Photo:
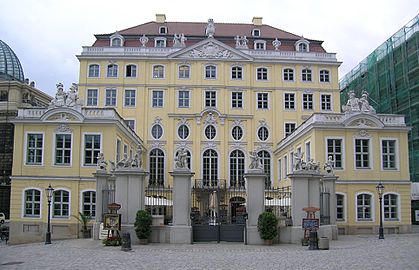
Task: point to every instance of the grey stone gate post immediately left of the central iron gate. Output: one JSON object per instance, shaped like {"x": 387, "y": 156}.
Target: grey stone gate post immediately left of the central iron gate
{"x": 181, "y": 231}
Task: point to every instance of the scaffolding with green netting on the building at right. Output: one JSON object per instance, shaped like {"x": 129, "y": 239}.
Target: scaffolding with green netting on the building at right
{"x": 390, "y": 74}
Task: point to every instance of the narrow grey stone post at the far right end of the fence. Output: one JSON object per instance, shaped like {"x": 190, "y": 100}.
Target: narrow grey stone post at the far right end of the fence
{"x": 331, "y": 230}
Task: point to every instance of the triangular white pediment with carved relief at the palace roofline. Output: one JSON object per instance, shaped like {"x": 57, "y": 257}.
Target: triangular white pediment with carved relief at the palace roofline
{"x": 210, "y": 48}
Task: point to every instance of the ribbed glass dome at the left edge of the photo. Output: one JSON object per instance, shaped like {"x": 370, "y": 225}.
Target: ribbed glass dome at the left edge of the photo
{"x": 10, "y": 67}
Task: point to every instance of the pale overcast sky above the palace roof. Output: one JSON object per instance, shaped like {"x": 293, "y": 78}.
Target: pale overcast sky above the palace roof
{"x": 47, "y": 34}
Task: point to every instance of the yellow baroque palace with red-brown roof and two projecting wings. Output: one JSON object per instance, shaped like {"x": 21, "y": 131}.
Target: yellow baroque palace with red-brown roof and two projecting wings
{"x": 218, "y": 93}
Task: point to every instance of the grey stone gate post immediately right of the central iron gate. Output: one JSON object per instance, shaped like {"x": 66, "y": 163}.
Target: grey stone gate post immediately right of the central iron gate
{"x": 255, "y": 188}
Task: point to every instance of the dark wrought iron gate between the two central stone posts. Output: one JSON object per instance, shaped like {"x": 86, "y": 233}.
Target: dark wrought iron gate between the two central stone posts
{"x": 217, "y": 211}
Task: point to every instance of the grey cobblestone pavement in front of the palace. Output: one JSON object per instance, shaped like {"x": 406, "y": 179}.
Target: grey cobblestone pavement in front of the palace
{"x": 349, "y": 252}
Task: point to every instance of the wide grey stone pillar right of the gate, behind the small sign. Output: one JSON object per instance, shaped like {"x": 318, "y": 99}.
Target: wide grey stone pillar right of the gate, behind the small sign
{"x": 305, "y": 188}
